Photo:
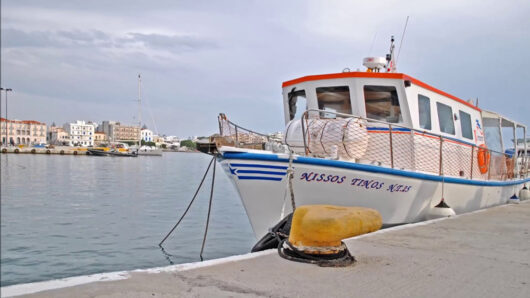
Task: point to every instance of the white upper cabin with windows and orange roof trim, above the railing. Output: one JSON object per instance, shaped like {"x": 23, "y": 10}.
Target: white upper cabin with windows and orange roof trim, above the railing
{"x": 387, "y": 97}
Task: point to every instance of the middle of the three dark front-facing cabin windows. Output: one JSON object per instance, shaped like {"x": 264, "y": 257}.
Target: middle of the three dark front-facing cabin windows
{"x": 335, "y": 100}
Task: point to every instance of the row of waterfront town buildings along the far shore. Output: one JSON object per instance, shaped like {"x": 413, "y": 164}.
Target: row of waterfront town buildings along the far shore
{"x": 29, "y": 133}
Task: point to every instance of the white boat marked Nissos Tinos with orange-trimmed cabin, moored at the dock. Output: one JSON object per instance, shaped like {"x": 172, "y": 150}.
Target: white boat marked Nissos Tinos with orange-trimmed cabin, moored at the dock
{"x": 375, "y": 138}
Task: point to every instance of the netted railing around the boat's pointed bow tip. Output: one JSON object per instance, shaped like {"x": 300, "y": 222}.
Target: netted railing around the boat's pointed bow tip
{"x": 237, "y": 136}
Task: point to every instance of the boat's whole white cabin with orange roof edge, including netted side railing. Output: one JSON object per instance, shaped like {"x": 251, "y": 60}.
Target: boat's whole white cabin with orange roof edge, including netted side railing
{"x": 394, "y": 120}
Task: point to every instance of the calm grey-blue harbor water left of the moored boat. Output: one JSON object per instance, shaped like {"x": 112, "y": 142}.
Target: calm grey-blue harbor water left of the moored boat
{"x": 65, "y": 216}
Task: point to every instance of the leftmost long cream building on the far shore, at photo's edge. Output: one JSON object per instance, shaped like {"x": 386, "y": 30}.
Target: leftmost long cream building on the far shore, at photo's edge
{"x": 22, "y": 132}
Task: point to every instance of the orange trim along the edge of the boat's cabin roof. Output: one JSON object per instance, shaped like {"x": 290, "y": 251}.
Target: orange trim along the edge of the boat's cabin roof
{"x": 376, "y": 75}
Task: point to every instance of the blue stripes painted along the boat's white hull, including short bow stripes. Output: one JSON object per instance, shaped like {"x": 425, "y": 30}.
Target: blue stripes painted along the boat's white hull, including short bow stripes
{"x": 364, "y": 168}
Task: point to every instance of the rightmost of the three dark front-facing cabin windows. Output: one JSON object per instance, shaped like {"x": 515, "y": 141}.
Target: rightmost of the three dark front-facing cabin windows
{"x": 382, "y": 103}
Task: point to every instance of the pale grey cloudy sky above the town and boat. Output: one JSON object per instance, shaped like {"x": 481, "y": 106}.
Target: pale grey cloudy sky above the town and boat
{"x": 79, "y": 60}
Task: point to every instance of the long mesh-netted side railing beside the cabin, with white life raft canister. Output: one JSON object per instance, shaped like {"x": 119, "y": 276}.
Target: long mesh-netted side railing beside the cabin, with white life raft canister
{"x": 330, "y": 134}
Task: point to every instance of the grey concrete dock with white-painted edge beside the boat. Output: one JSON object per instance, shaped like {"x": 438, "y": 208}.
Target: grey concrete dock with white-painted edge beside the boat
{"x": 480, "y": 254}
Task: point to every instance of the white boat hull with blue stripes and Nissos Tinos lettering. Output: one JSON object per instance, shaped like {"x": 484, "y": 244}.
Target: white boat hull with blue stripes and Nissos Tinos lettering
{"x": 400, "y": 196}
